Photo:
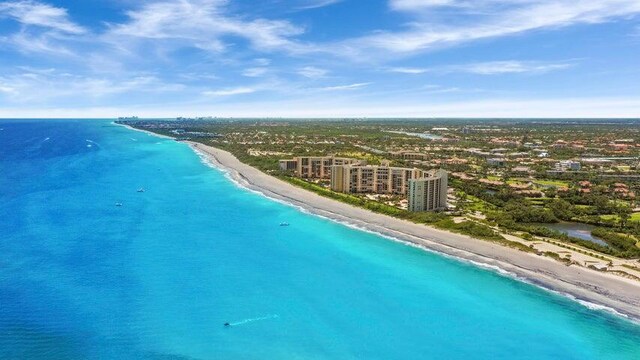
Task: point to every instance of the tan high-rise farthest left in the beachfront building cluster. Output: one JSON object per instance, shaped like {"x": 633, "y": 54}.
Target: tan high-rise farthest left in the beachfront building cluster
{"x": 315, "y": 167}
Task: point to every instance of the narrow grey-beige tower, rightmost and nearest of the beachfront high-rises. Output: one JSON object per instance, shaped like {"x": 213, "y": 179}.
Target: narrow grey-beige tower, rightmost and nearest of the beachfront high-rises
{"x": 428, "y": 193}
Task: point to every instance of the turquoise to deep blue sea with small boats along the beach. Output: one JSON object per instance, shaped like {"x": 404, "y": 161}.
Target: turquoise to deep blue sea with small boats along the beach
{"x": 157, "y": 277}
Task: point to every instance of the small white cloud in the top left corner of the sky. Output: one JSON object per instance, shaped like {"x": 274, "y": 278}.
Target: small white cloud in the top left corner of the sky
{"x": 33, "y": 13}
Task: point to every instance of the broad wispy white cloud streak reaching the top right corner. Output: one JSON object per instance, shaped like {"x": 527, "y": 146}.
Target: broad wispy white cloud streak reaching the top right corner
{"x": 485, "y": 19}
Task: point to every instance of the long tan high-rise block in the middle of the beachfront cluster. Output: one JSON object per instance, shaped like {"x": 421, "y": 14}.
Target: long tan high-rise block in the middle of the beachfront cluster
{"x": 375, "y": 179}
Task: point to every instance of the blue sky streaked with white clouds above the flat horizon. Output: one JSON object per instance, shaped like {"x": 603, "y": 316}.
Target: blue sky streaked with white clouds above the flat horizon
{"x": 320, "y": 58}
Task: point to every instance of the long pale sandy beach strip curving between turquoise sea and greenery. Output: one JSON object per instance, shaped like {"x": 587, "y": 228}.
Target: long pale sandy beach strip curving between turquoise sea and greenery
{"x": 599, "y": 289}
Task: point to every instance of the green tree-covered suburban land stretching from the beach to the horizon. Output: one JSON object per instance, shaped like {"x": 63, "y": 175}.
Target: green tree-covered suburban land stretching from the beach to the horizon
{"x": 525, "y": 188}
